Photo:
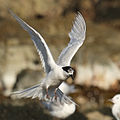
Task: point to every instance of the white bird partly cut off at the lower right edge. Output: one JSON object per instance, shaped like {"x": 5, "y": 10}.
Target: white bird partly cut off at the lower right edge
{"x": 116, "y": 106}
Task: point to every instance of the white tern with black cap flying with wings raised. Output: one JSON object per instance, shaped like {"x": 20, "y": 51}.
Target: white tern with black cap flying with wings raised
{"x": 56, "y": 72}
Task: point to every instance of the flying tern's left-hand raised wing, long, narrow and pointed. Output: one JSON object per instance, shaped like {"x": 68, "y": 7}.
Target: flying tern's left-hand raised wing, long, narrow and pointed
{"x": 40, "y": 44}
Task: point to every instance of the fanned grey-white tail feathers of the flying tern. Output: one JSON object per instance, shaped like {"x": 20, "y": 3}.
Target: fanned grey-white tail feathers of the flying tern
{"x": 38, "y": 91}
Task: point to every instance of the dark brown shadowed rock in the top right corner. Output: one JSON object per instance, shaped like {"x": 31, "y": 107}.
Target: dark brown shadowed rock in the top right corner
{"x": 98, "y": 10}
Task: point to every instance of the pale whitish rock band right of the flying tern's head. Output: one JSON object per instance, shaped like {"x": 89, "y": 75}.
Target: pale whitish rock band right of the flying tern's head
{"x": 102, "y": 76}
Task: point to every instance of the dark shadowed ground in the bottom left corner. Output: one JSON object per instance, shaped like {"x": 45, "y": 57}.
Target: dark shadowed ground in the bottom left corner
{"x": 26, "y": 112}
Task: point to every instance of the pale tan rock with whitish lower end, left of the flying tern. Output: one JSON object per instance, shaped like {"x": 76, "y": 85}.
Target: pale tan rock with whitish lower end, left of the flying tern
{"x": 16, "y": 58}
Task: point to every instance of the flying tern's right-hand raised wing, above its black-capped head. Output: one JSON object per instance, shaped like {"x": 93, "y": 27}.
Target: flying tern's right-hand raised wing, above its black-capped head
{"x": 77, "y": 37}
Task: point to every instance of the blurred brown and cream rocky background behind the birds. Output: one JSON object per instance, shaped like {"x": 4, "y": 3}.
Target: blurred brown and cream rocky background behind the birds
{"x": 97, "y": 63}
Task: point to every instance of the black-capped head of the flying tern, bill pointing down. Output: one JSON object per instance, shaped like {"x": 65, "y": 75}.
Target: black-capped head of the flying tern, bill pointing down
{"x": 69, "y": 71}
